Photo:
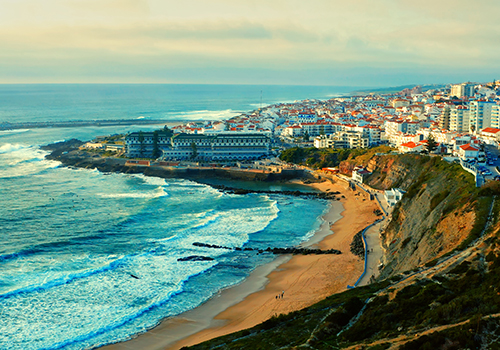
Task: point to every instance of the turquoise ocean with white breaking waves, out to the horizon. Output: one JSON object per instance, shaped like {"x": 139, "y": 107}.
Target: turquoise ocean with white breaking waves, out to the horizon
{"x": 90, "y": 258}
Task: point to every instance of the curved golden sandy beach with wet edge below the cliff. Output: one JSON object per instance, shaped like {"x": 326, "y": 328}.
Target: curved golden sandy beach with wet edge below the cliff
{"x": 304, "y": 280}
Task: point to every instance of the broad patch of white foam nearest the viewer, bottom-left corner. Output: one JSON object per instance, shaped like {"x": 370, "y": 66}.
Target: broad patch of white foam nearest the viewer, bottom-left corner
{"x": 99, "y": 304}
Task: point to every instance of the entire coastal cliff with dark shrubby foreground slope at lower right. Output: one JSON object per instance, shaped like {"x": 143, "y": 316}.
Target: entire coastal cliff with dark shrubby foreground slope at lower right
{"x": 439, "y": 287}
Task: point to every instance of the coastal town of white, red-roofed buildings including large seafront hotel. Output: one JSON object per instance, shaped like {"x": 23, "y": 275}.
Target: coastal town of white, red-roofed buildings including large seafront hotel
{"x": 459, "y": 121}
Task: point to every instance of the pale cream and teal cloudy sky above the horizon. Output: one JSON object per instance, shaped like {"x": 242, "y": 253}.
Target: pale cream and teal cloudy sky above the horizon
{"x": 287, "y": 42}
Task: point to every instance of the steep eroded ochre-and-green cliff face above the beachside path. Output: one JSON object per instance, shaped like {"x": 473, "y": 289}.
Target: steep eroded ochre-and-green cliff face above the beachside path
{"x": 434, "y": 216}
